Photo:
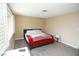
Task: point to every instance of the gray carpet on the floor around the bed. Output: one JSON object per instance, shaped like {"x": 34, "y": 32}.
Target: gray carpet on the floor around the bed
{"x": 55, "y": 49}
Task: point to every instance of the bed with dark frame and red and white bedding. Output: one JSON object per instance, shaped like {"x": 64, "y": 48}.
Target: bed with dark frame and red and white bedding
{"x": 36, "y": 37}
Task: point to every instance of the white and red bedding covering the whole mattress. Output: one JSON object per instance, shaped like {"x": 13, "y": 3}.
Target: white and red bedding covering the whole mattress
{"x": 38, "y": 37}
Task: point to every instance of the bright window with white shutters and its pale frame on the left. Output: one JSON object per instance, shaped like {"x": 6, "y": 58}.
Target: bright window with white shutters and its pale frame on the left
{"x": 6, "y": 27}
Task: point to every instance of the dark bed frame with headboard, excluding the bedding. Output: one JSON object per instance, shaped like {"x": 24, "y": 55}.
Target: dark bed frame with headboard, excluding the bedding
{"x": 29, "y": 46}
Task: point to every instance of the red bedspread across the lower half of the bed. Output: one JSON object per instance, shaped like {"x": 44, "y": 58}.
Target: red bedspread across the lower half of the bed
{"x": 40, "y": 39}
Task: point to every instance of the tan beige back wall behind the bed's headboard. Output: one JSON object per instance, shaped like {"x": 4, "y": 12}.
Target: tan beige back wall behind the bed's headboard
{"x": 24, "y": 22}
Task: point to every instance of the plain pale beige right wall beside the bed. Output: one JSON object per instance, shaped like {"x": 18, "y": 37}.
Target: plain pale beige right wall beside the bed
{"x": 67, "y": 26}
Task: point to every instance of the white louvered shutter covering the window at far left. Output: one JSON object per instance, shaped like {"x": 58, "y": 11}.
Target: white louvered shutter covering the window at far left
{"x": 4, "y": 42}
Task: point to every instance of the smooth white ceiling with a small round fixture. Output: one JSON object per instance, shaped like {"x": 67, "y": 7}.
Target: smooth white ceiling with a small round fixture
{"x": 35, "y": 9}
